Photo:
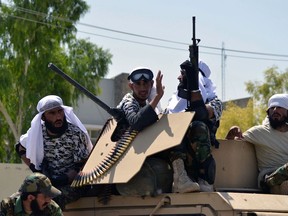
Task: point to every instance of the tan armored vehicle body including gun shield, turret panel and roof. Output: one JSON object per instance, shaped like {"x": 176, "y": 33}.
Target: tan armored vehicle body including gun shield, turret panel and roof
{"x": 236, "y": 191}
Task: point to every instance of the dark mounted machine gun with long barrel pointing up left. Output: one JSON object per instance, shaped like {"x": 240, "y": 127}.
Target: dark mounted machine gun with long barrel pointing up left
{"x": 117, "y": 114}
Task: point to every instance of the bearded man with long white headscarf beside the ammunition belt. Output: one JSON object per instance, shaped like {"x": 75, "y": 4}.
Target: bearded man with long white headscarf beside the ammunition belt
{"x": 57, "y": 144}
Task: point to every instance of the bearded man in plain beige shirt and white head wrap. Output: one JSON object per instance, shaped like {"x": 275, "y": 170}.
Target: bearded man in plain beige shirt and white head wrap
{"x": 271, "y": 144}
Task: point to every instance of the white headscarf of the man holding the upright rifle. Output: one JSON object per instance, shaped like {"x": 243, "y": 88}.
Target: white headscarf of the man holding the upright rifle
{"x": 206, "y": 87}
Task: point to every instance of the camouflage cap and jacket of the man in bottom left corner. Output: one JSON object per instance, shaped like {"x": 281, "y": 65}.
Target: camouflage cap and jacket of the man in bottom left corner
{"x": 34, "y": 183}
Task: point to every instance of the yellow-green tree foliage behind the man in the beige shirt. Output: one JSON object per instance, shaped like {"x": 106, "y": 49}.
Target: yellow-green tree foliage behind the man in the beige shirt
{"x": 255, "y": 112}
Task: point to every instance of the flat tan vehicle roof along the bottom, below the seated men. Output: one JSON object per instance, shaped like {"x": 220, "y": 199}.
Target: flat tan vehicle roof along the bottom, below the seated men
{"x": 215, "y": 203}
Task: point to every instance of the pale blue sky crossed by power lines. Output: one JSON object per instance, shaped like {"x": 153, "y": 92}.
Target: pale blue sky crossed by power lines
{"x": 257, "y": 26}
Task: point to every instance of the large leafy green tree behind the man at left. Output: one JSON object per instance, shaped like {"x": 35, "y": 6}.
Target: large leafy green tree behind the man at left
{"x": 33, "y": 34}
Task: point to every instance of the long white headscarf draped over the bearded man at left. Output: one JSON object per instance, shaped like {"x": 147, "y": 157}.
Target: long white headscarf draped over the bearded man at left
{"x": 33, "y": 139}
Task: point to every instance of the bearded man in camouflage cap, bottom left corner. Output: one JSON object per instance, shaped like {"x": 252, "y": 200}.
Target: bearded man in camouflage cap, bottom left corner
{"x": 34, "y": 198}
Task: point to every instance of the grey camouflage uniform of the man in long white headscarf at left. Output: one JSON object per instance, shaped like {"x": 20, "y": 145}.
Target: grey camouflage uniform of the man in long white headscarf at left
{"x": 64, "y": 153}
